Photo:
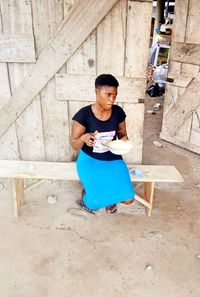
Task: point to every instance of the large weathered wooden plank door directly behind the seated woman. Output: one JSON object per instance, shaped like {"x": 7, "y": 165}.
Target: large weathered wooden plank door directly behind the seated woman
{"x": 50, "y": 53}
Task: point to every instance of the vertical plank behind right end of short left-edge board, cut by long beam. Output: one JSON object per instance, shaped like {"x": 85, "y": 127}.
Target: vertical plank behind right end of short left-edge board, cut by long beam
{"x": 17, "y": 19}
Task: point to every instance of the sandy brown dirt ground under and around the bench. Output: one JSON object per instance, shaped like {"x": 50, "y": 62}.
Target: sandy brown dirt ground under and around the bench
{"x": 58, "y": 250}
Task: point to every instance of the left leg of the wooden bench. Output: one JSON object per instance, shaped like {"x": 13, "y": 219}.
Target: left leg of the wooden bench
{"x": 18, "y": 195}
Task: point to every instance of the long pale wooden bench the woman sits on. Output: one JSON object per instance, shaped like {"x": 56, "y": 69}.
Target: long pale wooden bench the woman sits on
{"x": 20, "y": 170}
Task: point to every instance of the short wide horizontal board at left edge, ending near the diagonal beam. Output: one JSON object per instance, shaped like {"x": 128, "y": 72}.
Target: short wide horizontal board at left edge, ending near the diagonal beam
{"x": 17, "y": 48}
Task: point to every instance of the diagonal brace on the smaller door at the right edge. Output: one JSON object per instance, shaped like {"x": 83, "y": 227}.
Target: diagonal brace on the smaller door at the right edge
{"x": 182, "y": 109}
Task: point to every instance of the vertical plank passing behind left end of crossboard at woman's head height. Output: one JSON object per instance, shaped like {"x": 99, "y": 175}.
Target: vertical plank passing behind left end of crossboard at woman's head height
{"x": 48, "y": 15}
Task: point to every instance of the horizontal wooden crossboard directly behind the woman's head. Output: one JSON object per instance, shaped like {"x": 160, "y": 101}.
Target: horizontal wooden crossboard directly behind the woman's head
{"x": 130, "y": 89}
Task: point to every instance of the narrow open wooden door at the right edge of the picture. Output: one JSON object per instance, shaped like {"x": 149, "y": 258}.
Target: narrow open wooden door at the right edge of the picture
{"x": 181, "y": 119}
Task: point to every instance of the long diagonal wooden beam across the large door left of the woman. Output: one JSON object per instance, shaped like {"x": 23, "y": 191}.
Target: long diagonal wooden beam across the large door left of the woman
{"x": 76, "y": 27}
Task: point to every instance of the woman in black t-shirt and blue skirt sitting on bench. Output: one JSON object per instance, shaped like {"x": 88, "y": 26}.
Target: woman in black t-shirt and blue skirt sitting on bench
{"x": 104, "y": 175}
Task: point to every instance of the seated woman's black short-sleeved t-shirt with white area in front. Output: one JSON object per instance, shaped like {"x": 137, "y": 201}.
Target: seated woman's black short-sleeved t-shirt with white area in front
{"x": 107, "y": 131}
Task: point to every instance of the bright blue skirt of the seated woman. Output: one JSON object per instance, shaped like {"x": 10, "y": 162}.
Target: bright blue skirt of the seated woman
{"x": 105, "y": 182}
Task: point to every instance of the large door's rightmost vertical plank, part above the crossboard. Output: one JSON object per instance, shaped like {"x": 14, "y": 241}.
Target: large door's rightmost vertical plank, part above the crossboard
{"x": 138, "y": 36}
